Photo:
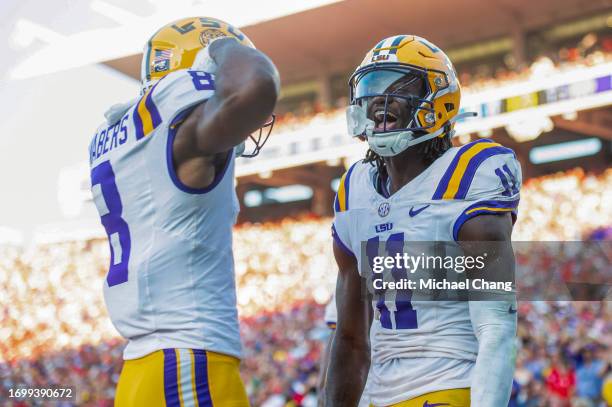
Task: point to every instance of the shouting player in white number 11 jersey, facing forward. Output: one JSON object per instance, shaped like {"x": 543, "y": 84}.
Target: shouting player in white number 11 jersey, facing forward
{"x": 413, "y": 186}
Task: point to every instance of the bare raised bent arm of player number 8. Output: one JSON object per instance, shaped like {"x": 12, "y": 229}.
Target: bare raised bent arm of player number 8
{"x": 246, "y": 90}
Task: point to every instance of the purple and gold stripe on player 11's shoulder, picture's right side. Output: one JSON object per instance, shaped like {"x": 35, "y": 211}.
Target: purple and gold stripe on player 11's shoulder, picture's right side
{"x": 459, "y": 175}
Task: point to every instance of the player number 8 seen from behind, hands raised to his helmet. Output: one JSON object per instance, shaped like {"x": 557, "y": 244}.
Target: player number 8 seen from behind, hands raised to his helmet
{"x": 162, "y": 175}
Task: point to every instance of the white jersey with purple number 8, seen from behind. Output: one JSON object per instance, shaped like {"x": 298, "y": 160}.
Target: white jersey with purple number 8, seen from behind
{"x": 171, "y": 278}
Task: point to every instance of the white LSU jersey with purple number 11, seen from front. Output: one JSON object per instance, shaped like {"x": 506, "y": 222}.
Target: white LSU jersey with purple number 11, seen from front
{"x": 423, "y": 346}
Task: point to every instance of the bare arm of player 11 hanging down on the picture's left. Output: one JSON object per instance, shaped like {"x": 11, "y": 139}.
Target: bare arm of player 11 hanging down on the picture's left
{"x": 350, "y": 352}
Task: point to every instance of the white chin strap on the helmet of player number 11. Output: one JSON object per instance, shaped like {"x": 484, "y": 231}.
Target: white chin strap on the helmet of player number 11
{"x": 397, "y": 142}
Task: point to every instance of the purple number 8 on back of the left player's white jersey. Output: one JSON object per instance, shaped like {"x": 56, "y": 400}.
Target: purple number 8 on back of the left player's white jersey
{"x": 117, "y": 230}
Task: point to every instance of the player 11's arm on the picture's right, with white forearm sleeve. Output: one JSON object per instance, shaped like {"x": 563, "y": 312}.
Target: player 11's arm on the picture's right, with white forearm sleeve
{"x": 494, "y": 322}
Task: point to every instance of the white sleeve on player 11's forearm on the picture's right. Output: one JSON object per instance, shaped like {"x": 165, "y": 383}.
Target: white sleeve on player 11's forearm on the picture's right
{"x": 495, "y": 329}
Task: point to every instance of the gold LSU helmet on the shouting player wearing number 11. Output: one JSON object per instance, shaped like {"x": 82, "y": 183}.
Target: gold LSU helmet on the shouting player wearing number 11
{"x": 403, "y": 93}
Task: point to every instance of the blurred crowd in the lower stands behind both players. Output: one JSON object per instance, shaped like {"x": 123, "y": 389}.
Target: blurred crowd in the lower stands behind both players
{"x": 55, "y": 329}
